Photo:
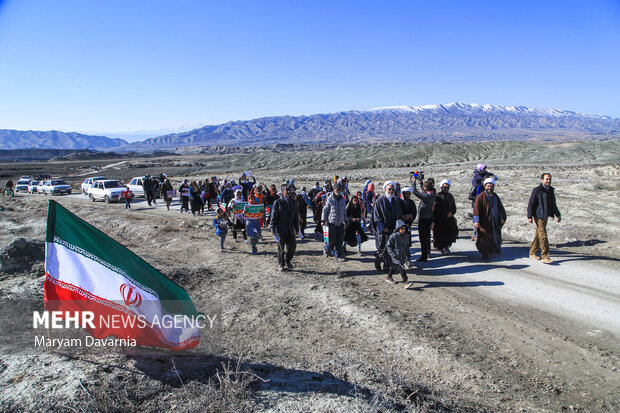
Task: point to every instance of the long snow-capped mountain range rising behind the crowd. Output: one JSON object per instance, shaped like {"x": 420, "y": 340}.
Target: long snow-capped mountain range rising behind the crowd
{"x": 456, "y": 122}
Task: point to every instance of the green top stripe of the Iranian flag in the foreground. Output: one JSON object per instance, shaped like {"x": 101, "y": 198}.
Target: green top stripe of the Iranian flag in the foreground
{"x": 69, "y": 228}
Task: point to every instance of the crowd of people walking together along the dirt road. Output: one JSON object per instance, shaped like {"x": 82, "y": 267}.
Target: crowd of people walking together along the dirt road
{"x": 342, "y": 218}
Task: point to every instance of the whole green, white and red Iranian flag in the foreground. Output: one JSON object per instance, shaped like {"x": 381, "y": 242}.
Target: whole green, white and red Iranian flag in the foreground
{"x": 85, "y": 270}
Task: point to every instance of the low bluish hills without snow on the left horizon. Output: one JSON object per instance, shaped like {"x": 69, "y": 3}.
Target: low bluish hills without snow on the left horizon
{"x": 14, "y": 139}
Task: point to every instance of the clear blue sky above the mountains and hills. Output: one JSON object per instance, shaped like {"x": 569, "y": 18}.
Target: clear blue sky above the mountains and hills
{"x": 115, "y": 66}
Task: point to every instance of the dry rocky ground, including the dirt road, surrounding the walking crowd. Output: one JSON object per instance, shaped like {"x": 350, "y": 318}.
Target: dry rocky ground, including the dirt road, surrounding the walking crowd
{"x": 507, "y": 335}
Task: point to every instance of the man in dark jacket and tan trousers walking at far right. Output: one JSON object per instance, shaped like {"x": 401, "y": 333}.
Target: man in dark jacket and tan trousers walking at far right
{"x": 542, "y": 206}
